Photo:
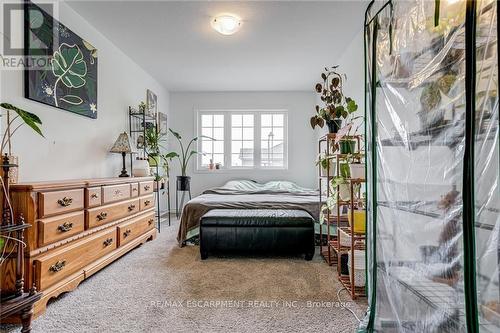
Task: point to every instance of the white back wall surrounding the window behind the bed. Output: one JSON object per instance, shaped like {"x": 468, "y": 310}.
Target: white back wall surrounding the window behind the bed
{"x": 302, "y": 140}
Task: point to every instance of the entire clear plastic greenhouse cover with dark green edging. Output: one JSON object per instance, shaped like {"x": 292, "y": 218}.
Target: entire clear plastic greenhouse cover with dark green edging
{"x": 416, "y": 143}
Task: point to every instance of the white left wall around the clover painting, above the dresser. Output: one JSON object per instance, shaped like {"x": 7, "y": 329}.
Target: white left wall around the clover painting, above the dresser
{"x": 76, "y": 146}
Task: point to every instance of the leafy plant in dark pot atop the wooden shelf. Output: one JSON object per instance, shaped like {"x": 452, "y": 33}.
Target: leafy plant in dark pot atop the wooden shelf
{"x": 336, "y": 105}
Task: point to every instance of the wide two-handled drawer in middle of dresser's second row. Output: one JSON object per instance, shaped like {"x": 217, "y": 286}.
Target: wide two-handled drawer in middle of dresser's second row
{"x": 102, "y": 215}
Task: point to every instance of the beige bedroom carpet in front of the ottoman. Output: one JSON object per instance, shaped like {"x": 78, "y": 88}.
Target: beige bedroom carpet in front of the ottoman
{"x": 160, "y": 287}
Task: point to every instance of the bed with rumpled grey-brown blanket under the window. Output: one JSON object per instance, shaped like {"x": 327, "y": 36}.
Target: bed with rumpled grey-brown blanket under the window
{"x": 247, "y": 194}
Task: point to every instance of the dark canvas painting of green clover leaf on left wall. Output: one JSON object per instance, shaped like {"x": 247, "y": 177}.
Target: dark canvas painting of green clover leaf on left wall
{"x": 64, "y": 66}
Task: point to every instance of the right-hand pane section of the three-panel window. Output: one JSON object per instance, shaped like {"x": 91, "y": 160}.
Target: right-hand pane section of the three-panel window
{"x": 272, "y": 140}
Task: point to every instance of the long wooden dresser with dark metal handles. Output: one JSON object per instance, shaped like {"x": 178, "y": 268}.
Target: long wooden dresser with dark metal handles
{"x": 79, "y": 227}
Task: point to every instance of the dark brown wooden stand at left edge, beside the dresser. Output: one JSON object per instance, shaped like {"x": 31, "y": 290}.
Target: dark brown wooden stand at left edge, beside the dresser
{"x": 14, "y": 301}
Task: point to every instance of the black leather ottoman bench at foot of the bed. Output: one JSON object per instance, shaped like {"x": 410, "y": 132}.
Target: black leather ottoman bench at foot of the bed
{"x": 262, "y": 231}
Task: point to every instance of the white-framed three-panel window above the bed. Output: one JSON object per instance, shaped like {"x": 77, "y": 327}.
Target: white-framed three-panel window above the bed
{"x": 243, "y": 139}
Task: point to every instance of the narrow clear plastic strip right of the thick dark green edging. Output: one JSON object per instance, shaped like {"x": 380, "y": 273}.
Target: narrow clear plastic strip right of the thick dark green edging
{"x": 487, "y": 191}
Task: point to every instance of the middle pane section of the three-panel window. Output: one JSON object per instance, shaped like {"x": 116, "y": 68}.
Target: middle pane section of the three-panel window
{"x": 242, "y": 143}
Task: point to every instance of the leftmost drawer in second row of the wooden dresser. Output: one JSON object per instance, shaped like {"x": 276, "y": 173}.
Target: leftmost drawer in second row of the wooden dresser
{"x": 52, "y": 229}
